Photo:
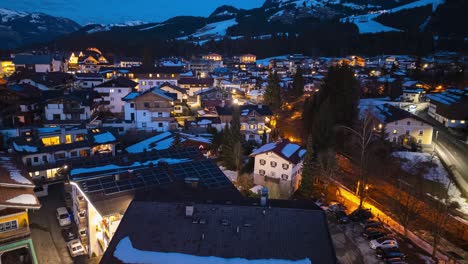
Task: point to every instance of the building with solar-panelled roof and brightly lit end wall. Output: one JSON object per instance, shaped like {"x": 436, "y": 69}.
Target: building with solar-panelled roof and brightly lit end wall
{"x": 103, "y": 189}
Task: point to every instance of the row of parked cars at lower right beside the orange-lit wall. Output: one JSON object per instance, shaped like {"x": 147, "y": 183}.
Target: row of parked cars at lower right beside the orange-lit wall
{"x": 385, "y": 246}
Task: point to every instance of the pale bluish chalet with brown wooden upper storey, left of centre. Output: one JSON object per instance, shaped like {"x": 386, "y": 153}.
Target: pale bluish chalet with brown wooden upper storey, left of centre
{"x": 151, "y": 110}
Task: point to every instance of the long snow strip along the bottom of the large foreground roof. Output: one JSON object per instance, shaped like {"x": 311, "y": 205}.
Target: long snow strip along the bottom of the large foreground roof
{"x": 126, "y": 253}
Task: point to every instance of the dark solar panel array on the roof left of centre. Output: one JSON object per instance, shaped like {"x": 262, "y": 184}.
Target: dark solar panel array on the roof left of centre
{"x": 209, "y": 175}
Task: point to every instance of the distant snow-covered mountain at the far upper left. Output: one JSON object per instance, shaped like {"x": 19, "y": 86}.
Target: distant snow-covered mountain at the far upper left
{"x": 21, "y": 28}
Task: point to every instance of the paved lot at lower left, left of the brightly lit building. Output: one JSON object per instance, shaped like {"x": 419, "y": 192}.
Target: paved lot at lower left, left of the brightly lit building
{"x": 49, "y": 244}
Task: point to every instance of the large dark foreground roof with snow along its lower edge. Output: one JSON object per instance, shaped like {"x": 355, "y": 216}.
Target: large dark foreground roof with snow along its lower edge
{"x": 222, "y": 231}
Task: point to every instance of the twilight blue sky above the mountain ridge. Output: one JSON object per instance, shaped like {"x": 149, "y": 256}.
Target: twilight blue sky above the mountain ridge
{"x": 117, "y": 11}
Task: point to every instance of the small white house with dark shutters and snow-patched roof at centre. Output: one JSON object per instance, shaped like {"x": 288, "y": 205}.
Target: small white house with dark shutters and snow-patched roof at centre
{"x": 279, "y": 163}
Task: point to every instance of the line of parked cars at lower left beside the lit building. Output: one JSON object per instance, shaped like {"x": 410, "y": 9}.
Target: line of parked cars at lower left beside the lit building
{"x": 73, "y": 242}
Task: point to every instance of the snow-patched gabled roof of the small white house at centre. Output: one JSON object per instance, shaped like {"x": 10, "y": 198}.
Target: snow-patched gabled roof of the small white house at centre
{"x": 288, "y": 151}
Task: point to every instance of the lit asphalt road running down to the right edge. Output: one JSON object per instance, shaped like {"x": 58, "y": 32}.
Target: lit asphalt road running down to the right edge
{"x": 452, "y": 151}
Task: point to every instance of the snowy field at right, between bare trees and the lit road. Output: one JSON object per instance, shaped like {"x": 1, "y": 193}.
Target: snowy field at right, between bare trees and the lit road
{"x": 436, "y": 174}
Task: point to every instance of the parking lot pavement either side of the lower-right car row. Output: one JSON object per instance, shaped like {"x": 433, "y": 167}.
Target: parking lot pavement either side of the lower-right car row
{"x": 352, "y": 247}
